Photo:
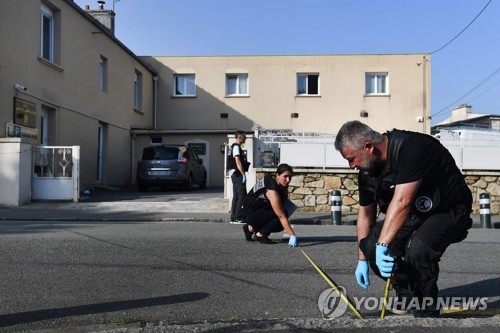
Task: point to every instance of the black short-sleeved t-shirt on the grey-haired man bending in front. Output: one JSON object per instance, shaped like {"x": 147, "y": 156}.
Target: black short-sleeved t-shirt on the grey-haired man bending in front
{"x": 419, "y": 156}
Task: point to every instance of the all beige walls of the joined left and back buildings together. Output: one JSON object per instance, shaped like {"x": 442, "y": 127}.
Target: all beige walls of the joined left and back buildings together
{"x": 66, "y": 92}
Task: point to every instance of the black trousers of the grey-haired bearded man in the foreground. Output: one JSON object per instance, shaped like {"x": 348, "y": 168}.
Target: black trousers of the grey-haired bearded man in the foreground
{"x": 418, "y": 248}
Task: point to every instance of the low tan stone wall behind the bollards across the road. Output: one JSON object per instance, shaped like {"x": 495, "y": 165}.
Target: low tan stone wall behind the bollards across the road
{"x": 310, "y": 190}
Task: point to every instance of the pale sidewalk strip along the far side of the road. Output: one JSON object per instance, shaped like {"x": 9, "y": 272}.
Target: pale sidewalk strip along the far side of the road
{"x": 126, "y": 204}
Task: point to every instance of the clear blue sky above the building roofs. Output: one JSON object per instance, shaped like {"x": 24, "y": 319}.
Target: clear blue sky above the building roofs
{"x": 462, "y": 36}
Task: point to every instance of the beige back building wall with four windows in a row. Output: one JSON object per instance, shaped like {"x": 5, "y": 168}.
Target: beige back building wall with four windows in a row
{"x": 272, "y": 96}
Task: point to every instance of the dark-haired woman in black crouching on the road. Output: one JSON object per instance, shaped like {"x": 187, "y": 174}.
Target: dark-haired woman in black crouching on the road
{"x": 264, "y": 207}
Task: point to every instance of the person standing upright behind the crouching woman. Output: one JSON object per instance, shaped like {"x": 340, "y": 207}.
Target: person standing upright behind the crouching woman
{"x": 238, "y": 165}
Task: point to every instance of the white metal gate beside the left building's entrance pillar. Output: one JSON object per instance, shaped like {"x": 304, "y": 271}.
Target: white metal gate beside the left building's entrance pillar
{"x": 56, "y": 173}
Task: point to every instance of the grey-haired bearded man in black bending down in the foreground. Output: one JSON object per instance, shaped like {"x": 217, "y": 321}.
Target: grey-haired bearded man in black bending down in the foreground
{"x": 415, "y": 182}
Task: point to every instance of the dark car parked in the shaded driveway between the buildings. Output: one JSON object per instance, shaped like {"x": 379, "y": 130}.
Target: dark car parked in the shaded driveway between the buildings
{"x": 170, "y": 165}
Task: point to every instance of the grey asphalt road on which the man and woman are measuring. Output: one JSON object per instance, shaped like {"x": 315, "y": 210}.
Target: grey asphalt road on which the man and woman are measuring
{"x": 152, "y": 275}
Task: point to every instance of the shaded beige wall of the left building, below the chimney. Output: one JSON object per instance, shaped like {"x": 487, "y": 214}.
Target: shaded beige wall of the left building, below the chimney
{"x": 67, "y": 90}
